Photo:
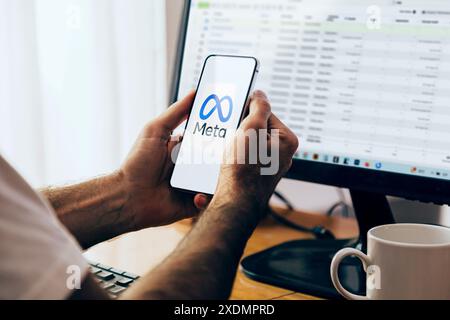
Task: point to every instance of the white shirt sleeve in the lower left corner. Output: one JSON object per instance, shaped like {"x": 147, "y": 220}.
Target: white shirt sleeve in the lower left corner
{"x": 36, "y": 251}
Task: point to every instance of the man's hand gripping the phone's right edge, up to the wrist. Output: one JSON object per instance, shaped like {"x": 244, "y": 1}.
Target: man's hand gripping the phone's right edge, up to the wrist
{"x": 244, "y": 185}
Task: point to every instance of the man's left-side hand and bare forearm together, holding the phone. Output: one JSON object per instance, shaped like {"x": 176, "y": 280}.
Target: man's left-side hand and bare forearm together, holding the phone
{"x": 134, "y": 197}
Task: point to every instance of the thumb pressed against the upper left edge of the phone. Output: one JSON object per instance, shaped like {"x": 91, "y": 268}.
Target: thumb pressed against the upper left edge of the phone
{"x": 176, "y": 113}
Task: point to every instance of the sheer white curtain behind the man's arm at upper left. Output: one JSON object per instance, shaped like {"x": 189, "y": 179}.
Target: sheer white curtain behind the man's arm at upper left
{"x": 78, "y": 80}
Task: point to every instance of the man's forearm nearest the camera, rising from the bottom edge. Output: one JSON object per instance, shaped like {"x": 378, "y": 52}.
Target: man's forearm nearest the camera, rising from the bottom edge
{"x": 204, "y": 264}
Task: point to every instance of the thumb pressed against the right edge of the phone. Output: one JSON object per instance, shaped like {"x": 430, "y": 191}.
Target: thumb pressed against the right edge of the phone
{"x": 259, "y": 112}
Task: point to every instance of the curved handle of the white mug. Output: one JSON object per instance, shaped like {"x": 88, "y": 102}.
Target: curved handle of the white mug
{"x": 335, "y": 267}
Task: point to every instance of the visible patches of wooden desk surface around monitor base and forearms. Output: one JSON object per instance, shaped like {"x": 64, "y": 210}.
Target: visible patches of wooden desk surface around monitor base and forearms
{"x": 141, "y": 251}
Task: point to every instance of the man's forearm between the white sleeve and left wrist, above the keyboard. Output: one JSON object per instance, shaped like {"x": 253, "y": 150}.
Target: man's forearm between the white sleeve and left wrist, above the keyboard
{"x": 92, "y": 211}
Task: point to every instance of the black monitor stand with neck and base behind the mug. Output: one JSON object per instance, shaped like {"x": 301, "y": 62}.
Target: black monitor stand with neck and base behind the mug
{"x": 304, "y": 265}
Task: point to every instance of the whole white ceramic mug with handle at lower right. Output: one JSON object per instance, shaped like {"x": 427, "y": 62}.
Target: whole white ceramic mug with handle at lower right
{"x": 403, "y": 261}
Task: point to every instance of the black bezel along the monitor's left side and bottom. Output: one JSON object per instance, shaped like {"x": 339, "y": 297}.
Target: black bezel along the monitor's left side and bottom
{"x": 406, "y": 186}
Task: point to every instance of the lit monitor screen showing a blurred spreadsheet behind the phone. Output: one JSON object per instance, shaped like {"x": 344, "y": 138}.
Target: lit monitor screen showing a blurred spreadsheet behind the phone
{"x": 362, "y": 85}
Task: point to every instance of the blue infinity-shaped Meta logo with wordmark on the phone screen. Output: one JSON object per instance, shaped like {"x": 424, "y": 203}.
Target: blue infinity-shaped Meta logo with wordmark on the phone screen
{"x": 217, "y": 106}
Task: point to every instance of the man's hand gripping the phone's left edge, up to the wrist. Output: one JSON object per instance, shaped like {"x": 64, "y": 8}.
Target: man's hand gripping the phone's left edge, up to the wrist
{"x": 147, "y": 170}
